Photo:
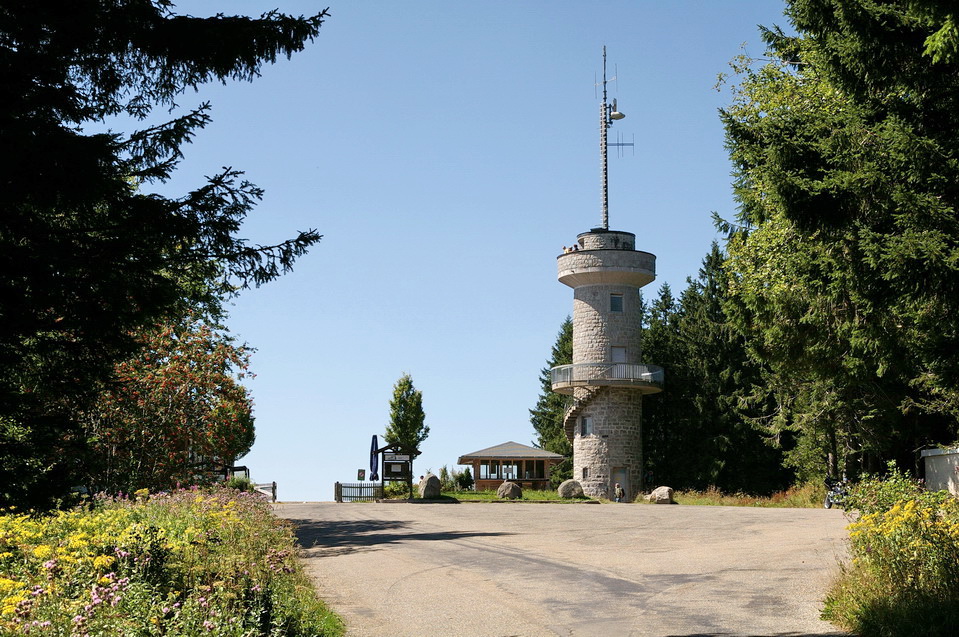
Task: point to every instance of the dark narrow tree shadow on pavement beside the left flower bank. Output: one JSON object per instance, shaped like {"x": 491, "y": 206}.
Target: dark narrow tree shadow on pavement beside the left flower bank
{"x": 340, "y": 537}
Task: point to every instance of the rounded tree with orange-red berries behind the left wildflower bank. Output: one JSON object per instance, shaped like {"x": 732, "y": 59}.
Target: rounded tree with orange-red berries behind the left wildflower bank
{"x": 175, "y": 412}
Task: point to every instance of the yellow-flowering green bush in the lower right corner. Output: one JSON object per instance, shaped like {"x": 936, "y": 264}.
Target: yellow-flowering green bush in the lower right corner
{"x": 904, "y": 575}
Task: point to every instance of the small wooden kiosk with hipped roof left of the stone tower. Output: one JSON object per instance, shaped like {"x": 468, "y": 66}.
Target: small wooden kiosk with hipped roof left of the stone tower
{"x": 527, "y": 466}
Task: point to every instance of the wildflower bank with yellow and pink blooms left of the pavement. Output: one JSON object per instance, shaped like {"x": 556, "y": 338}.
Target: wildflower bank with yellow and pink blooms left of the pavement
{"x": 214, "y": 562}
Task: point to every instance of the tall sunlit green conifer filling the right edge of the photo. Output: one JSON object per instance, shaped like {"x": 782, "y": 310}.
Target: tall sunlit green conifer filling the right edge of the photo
{"x": 844, "y": 257}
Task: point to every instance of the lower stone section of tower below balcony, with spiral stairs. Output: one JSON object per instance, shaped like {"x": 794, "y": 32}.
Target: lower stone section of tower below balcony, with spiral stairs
{"x": 608, "y": 444}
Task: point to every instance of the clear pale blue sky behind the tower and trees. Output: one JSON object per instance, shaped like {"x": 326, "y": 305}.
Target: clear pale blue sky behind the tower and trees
{"x": 447, "y": 151}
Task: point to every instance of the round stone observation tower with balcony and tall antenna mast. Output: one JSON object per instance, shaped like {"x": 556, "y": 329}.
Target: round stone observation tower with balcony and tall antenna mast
{"x": 607, "y": 379}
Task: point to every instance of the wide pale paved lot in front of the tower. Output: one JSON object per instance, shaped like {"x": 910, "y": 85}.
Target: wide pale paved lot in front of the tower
{"x": 528, "y": 569}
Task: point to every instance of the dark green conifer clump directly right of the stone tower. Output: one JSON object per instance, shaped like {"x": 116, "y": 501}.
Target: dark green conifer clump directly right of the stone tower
{"x": 698, "y": 432}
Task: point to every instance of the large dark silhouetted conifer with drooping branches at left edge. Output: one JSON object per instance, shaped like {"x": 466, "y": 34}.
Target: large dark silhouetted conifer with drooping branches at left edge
{"x": 89, "y": 255}
